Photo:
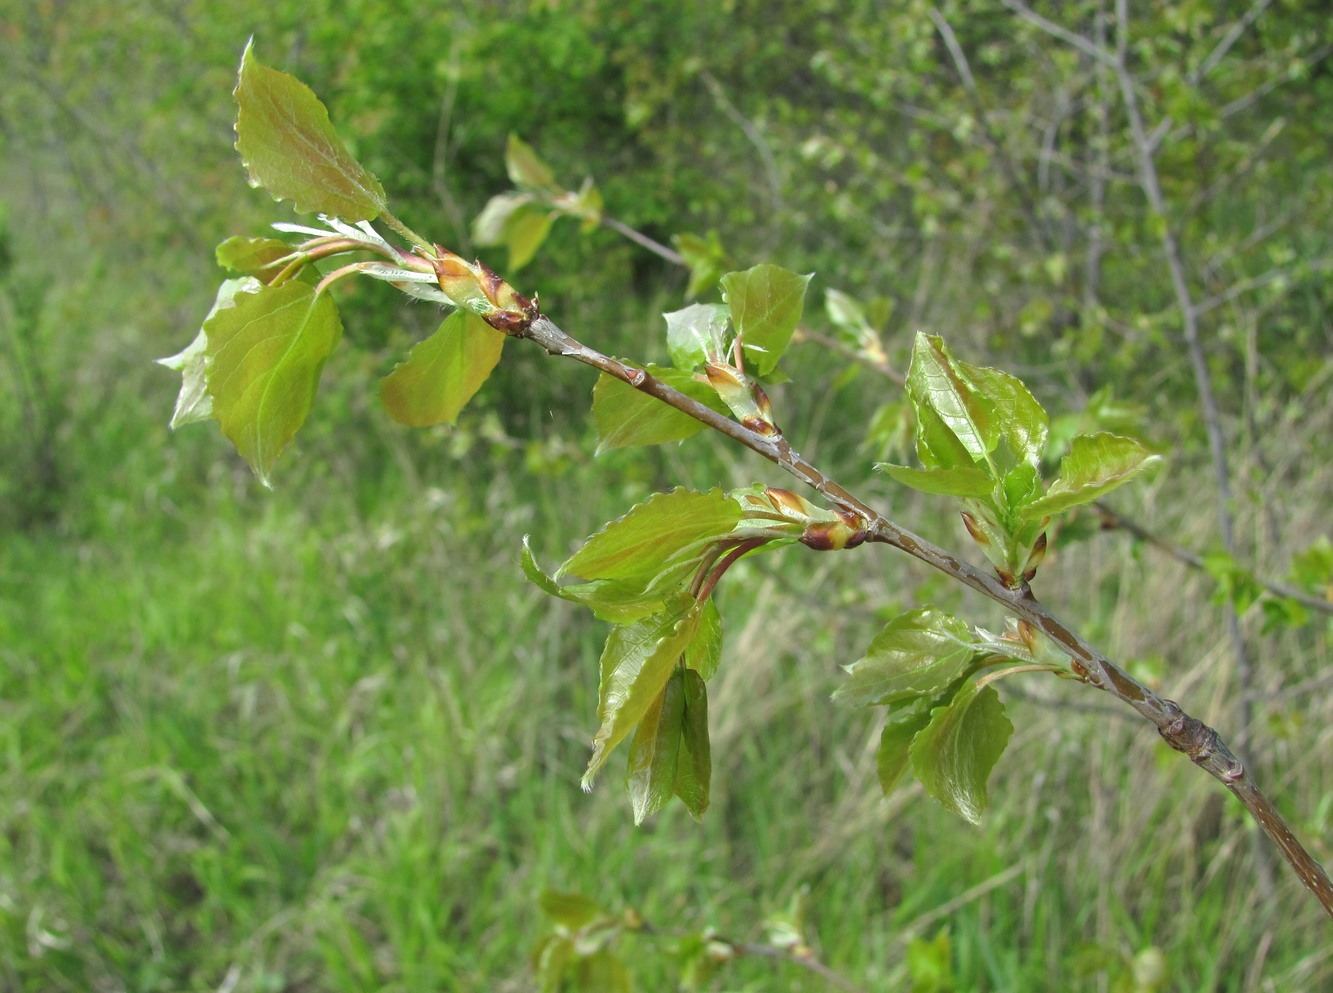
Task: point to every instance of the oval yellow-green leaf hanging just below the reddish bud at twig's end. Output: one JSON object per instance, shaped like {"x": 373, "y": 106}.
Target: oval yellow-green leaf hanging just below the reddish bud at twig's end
{"x": 443, "y": 374}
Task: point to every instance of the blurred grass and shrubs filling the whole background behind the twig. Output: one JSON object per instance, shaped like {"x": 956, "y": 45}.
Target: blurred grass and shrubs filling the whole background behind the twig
{"x": 327, "y": 739}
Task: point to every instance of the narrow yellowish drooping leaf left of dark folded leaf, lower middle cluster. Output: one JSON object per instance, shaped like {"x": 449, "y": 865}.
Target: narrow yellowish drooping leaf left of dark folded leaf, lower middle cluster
{"x": 635, "y": 666}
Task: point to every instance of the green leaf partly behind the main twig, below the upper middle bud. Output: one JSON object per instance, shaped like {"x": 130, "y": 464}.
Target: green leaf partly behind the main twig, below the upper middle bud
{"x": 625, "y": 417}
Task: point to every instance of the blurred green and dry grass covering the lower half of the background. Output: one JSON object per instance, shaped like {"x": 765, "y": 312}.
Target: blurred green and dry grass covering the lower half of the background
{"x": 329, "y": 740}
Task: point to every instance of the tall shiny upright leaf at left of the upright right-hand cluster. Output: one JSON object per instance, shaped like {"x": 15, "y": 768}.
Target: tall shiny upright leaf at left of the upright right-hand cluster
{"x": 955, "y": 423}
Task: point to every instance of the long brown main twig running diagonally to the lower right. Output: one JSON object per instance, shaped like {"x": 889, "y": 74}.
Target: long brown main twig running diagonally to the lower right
{"x": 1183, "y": 732}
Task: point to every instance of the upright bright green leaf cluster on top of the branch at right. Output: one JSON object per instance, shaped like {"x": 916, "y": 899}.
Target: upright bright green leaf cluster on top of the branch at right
{"x": 982, "y": 439}
